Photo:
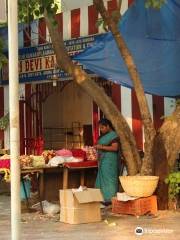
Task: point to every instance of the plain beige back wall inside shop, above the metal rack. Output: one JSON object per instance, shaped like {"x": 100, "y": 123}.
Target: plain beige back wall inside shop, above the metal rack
{"x": 70, "y": 105}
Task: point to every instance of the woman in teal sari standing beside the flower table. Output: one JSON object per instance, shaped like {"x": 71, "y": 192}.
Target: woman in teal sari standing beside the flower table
{"x": 108, "y": 146}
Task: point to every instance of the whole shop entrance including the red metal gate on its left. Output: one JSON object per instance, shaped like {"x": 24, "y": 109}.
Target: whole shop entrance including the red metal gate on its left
{"x": 57, "y": 115}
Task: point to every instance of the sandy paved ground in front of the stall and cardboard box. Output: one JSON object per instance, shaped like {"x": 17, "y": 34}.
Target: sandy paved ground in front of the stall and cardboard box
{"x": 114, "y": 227}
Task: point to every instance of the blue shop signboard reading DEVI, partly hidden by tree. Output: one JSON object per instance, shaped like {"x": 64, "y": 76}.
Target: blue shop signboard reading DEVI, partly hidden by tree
{"x": 38, "y": 63}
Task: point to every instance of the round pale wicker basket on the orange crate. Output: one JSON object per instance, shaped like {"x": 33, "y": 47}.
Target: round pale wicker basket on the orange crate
{"x": 139, "y": 186}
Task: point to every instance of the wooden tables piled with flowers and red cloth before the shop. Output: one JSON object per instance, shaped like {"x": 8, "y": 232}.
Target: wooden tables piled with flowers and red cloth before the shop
{"x": 62, "y": 169}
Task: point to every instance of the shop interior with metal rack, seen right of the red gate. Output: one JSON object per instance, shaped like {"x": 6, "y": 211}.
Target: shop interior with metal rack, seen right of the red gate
{"x": 66, "y": 114}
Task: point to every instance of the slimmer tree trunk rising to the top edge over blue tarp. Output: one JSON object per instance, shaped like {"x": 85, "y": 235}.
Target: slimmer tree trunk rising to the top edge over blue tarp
{"x": 149, "y": 130}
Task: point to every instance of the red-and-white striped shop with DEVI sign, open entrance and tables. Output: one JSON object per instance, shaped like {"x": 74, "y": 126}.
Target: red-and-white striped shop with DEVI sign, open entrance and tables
{"x": 50, "y": 103}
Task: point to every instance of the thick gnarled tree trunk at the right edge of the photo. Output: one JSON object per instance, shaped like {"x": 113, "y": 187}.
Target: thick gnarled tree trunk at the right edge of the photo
{"x": 165, "y": 152}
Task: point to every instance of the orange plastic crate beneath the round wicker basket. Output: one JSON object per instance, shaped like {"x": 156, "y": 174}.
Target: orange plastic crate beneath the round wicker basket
{"x": 136, "y": 207}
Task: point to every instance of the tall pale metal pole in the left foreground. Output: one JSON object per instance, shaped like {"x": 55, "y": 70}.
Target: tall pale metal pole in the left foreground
{"x": 14, "y": 119}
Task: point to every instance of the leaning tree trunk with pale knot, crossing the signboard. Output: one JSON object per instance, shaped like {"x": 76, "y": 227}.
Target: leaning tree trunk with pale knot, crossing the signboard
{"x": 99, "y": 96}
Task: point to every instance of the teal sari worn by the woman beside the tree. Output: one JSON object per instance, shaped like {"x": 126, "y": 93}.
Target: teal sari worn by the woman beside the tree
{"x": 107, "y": 177}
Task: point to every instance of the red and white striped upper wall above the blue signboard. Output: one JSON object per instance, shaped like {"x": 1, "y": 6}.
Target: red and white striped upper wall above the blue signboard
{"x": 74, "y": 23}
